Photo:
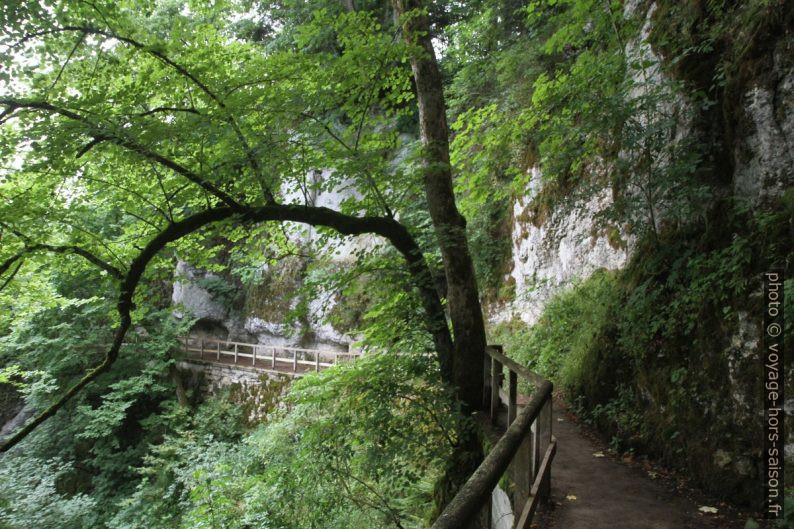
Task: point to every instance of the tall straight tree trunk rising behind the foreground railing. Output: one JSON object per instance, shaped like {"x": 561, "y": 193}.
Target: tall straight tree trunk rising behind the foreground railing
{"x": 450, "y": 226}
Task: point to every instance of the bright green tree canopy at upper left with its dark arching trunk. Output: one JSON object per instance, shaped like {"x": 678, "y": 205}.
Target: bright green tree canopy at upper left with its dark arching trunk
{"x": 129, "y": 127}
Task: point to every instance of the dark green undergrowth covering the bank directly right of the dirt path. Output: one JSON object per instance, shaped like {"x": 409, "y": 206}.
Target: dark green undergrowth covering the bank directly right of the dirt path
{"x": 662, "y": 356}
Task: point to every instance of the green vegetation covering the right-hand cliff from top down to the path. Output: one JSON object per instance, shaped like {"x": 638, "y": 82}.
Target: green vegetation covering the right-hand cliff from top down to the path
{"x": 649, "y": 107}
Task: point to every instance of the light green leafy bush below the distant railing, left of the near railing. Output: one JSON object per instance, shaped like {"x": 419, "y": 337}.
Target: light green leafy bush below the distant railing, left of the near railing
{"x": 358, "y": 445}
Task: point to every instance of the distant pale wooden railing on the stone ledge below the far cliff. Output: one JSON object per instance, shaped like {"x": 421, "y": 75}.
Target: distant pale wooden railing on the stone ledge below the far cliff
{"x": 279, "y": 358}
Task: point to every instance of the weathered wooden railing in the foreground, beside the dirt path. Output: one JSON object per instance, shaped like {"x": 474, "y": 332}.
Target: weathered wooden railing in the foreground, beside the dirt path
{"x": 525, "y": 451}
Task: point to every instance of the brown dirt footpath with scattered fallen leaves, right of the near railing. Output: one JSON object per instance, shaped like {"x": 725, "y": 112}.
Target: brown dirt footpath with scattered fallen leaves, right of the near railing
{"x": 591, "y": 492}
